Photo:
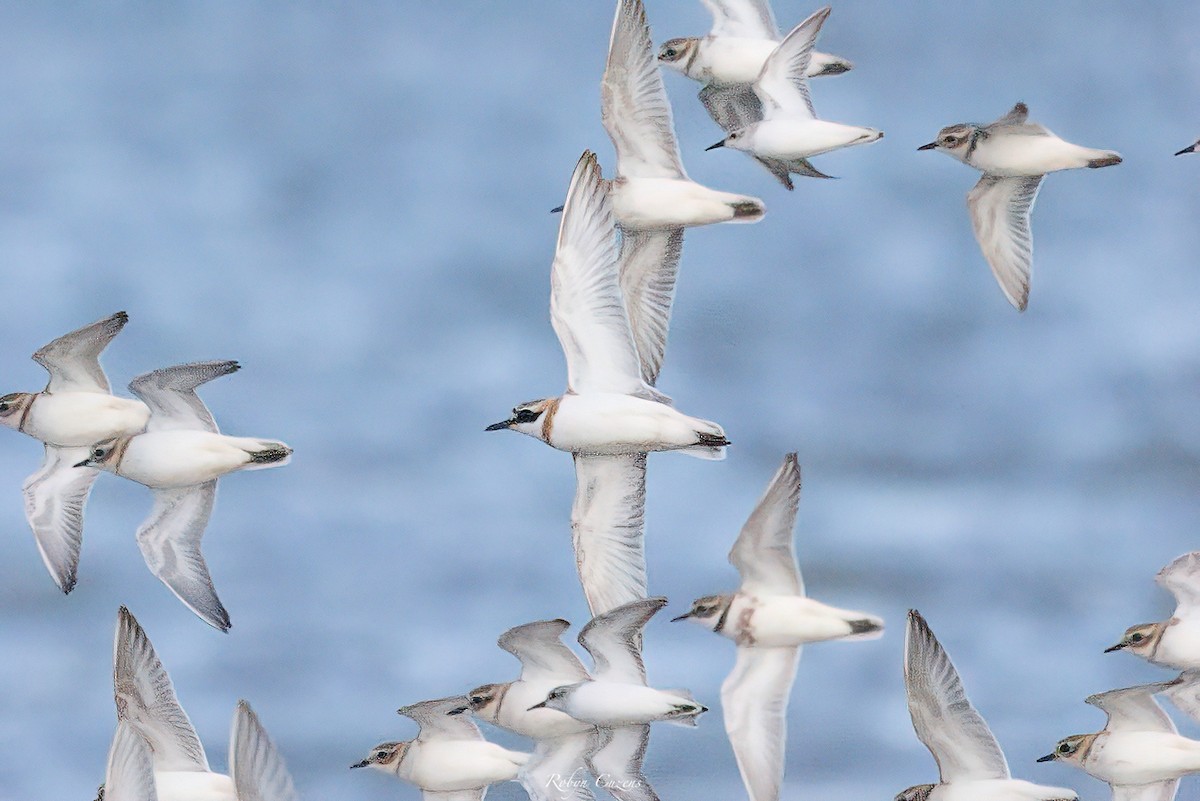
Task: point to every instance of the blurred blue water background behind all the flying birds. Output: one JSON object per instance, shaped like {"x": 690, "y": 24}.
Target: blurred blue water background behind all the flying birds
{"x": 353, "y": 203}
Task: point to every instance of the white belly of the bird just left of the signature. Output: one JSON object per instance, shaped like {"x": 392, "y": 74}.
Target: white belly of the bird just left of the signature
{"x": 448, "y": 766}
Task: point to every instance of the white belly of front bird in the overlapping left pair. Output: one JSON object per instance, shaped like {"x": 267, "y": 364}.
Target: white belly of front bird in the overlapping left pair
{"x": 182, "y": 459}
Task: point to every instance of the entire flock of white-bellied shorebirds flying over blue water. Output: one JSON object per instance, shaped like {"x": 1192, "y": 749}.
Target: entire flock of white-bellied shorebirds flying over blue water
{"x": 613, "y": 287}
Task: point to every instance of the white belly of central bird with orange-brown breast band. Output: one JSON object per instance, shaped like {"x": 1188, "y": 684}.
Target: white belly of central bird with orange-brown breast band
{"x": 620, "y": 424}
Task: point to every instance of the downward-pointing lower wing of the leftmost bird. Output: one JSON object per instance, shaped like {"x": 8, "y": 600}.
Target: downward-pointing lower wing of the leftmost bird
{"x": 55, "y": 502}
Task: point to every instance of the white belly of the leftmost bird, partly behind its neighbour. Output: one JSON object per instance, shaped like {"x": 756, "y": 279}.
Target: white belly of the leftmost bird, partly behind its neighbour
{"x": 83, "y": 419}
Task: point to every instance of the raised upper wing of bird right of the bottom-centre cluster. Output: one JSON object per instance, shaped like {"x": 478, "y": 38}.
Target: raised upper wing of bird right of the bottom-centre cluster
{"x": 765, "y": 552}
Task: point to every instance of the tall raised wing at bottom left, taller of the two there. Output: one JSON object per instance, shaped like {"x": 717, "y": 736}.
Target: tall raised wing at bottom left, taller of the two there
{"x": 146, "y": 698}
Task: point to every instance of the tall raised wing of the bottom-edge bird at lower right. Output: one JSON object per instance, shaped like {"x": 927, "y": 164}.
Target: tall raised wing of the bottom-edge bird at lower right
{"x": 943, "y": 715}
